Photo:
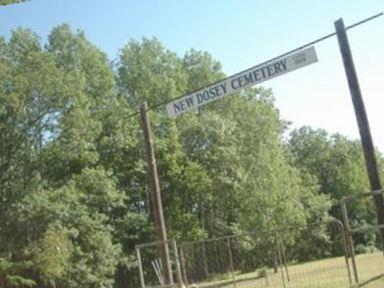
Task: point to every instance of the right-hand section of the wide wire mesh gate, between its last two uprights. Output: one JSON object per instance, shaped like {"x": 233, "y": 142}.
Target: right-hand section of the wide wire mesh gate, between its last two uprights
{"x": 317, "y": 258}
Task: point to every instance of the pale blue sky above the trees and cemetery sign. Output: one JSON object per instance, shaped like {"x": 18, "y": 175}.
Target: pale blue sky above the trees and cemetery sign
{"x": 241, "y": 34}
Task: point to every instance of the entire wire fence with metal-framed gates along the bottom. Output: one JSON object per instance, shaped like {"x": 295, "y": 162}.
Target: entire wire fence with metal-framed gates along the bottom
{"x": 327, "y": 254}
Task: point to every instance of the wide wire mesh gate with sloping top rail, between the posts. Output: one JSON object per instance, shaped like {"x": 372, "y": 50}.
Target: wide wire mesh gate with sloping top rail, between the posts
{"x": 310, "y": 256}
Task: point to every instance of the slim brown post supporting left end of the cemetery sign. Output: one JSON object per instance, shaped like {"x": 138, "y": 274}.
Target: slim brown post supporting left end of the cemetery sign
{"x": 155, "y": 195}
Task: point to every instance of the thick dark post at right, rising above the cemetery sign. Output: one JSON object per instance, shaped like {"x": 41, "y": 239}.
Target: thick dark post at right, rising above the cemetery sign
{"x": 362, "y": 121}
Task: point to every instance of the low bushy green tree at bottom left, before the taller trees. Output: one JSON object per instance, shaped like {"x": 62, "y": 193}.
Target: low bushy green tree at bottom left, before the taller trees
{"x": 81, "y": 207}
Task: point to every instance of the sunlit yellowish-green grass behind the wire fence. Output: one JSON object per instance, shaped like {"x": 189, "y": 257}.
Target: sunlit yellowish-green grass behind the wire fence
{"x": 327, "y": 273}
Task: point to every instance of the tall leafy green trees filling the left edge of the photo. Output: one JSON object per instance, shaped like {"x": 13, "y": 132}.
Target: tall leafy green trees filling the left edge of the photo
{"x": 51, "y": 130}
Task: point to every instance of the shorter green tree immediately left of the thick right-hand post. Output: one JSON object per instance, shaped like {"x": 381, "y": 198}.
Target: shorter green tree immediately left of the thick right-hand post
{"x": 337, "y": 164}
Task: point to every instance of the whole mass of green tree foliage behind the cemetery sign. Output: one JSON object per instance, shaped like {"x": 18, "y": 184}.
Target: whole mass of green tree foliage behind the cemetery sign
{"x": 74, "y": 198}
